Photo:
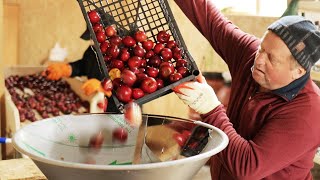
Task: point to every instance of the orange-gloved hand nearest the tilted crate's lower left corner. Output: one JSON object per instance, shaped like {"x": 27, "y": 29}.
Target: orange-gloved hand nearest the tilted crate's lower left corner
{"x": 94, "y": 85}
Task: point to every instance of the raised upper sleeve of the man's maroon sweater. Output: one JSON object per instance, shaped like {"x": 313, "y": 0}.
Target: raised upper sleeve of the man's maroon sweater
{"x": 233, "y": 45}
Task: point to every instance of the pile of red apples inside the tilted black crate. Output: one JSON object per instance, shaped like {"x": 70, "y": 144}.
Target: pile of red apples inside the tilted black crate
{"x": 138, "y": 66}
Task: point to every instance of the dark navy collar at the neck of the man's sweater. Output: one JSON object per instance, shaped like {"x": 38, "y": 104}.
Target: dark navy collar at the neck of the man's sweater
{"x": 291, "y": 90}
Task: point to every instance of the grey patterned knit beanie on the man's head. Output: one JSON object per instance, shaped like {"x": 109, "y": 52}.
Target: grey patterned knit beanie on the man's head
{"x": 301, "y": 37}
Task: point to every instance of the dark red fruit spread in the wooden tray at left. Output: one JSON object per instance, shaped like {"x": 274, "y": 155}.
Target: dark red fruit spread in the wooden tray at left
{"x": 37, "y": 97}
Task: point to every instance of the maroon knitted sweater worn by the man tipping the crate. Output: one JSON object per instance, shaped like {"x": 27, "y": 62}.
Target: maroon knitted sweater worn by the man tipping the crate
{"x": 273, "y": 135}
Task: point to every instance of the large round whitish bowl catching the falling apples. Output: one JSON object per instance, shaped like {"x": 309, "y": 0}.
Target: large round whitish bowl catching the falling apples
{"x": 59, "y": 147}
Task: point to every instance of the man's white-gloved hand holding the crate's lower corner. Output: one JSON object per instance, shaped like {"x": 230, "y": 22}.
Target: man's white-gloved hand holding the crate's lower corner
{"x": 198, "y": 95}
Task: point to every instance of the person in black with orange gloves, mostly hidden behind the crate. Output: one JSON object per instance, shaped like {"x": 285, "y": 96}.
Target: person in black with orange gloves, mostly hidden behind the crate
{"x": 87, "y": 66}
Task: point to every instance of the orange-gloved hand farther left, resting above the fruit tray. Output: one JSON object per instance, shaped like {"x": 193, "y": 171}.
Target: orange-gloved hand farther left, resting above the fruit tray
{"x": 55, "y": 71}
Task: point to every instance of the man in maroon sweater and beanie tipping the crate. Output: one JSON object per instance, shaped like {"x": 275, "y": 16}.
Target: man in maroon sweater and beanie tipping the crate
{"x": 272, "y": 118}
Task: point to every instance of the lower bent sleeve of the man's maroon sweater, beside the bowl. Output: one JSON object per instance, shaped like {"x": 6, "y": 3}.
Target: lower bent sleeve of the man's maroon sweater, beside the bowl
{"x": 284, "y": 139}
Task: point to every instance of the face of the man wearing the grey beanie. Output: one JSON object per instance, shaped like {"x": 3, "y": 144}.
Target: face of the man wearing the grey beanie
{"x": 273, "y": 66}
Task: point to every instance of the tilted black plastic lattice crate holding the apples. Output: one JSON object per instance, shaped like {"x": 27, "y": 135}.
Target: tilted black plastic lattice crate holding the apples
{"x": 128, "y": 16}
